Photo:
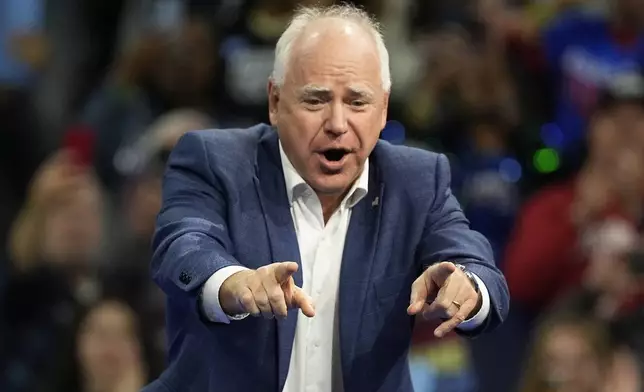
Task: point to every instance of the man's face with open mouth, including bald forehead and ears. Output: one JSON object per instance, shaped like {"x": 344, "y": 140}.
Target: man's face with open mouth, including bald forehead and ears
{"x": 331, "y": 107}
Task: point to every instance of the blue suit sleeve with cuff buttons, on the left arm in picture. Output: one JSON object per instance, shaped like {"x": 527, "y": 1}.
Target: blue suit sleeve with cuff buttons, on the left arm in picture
{"x": 191, "y": 241}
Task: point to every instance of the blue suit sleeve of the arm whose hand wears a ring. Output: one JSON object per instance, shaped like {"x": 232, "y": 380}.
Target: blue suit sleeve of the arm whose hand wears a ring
{"x": 448, "y": 237}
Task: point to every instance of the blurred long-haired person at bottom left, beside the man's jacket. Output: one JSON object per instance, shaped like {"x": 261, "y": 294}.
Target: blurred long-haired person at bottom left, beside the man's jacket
{"x": 108, "y": 353}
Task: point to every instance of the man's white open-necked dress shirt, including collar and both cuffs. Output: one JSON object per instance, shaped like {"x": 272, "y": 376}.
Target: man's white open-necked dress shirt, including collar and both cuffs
{"x": 315, "y": 359}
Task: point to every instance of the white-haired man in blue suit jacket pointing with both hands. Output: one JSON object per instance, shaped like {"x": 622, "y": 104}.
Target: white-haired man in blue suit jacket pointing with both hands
{"x": 314, "y": 214}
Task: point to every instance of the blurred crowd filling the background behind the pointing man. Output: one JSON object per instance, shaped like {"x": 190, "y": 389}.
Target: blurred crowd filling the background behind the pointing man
{"x": 539, "y": 104}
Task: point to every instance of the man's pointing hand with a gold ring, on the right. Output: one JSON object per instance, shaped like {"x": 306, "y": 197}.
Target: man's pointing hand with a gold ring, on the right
{"x": 444, "y": 292}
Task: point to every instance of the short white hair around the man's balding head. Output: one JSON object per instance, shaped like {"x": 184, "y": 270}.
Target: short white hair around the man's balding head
{"x": 306, "y": 15}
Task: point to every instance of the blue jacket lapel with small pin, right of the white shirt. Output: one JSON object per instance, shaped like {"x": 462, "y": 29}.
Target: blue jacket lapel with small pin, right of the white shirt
{"x": 357, "y": 262}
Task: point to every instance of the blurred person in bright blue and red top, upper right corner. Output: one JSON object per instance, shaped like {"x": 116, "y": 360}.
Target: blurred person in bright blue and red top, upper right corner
{"x": 581, "y": 51}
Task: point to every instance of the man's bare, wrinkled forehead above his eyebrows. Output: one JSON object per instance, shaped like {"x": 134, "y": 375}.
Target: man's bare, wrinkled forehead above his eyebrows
{"x": 332, "y": 53}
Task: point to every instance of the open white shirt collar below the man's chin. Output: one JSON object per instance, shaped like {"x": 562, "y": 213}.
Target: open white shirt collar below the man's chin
{"x": 294, "y": 182}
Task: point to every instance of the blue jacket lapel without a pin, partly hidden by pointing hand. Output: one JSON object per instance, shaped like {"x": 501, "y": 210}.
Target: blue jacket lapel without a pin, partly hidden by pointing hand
{"x": 273, "y": 198}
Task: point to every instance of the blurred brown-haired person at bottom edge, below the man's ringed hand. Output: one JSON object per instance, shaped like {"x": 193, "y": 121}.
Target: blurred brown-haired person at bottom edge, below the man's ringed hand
{"x": 571, "y": 353}
